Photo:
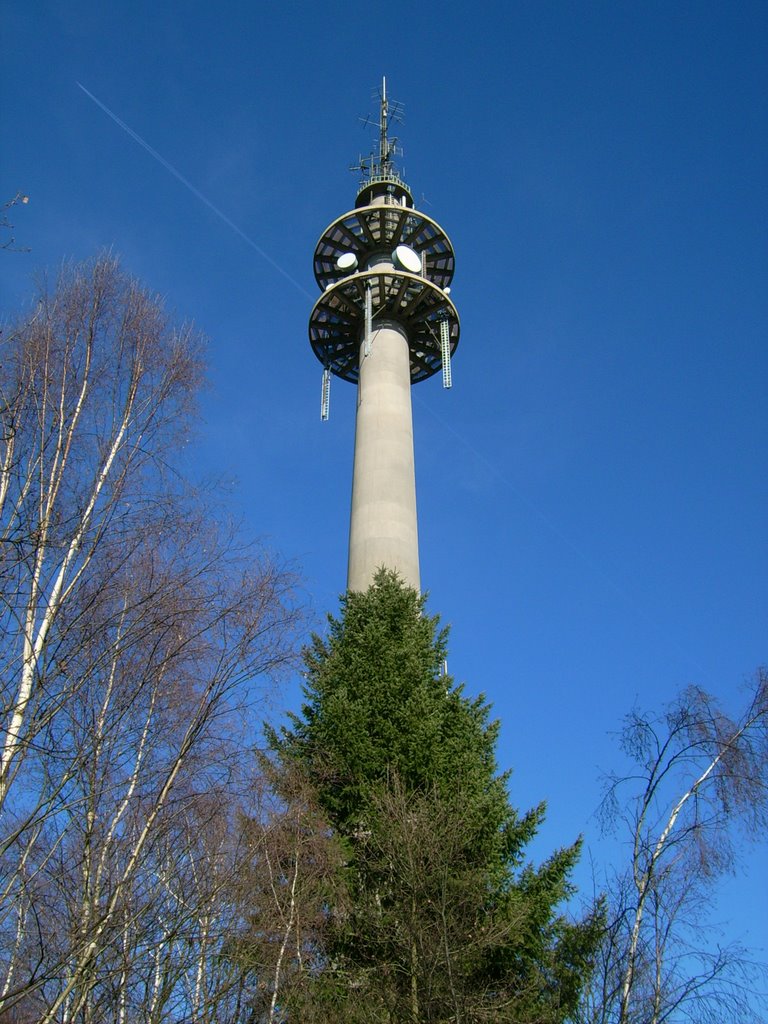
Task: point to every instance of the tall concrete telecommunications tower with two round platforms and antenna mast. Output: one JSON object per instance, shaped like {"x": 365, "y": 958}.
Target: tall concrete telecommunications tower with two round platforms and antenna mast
{"x": 383, "y": 322}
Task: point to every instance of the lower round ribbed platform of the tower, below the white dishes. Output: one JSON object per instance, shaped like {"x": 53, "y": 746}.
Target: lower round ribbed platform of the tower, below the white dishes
{"x": 337, "y": 323}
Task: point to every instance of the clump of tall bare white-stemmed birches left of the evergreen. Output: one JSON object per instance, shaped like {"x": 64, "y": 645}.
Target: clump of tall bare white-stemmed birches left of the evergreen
{"x": 134, "y": 634}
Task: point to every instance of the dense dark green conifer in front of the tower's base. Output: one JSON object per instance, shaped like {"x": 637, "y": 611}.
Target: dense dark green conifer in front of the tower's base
{"x": 444, "y": 920}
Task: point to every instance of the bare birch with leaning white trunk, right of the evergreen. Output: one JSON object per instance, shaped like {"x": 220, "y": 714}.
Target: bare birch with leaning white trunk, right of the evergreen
{"x": 700, "y": 778}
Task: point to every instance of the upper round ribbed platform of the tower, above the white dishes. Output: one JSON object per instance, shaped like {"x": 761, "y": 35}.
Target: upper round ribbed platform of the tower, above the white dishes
{"x": 378, "y": 230}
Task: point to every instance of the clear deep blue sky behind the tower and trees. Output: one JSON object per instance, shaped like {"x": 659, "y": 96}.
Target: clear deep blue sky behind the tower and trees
{"x": 592, "y": 492}
